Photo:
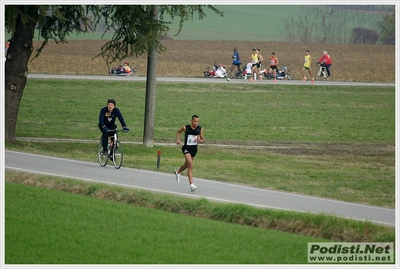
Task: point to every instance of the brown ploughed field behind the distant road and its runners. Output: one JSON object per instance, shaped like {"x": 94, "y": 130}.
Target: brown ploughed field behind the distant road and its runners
{"x": 360, "y": 63}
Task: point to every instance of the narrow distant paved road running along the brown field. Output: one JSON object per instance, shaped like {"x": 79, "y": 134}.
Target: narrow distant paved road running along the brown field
{"x": 211, "y": 80}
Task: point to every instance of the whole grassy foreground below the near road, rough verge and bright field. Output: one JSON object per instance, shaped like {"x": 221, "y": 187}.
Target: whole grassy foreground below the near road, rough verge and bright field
{"x": 75, "y": 222}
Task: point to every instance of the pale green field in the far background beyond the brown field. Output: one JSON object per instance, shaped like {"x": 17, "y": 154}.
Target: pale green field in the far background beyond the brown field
{"x": 251, "y": 22}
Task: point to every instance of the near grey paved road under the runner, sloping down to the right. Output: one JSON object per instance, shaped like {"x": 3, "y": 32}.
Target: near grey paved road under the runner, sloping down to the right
{"x": 212, "y": 190}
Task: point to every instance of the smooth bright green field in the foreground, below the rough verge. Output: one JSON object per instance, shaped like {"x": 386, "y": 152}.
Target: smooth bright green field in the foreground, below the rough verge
{"x": 63, "y": 228}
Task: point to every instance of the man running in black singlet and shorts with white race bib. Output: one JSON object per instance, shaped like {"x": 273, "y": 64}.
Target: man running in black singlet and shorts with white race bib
{"x": 193, "y": 136}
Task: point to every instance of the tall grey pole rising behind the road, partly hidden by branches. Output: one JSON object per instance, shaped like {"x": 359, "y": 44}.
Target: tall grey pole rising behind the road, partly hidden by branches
{"x": 149, "y": 114}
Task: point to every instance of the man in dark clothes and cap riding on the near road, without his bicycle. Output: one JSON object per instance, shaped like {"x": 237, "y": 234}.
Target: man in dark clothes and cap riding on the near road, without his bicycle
{"x": 107, "y": 117}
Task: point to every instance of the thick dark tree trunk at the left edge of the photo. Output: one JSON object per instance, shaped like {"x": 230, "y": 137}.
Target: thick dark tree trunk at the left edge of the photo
{"x": 16, "y": 71}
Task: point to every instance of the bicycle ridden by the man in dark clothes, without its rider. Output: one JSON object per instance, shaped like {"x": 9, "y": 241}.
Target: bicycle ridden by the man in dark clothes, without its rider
{"x": 114, "y": 150}
